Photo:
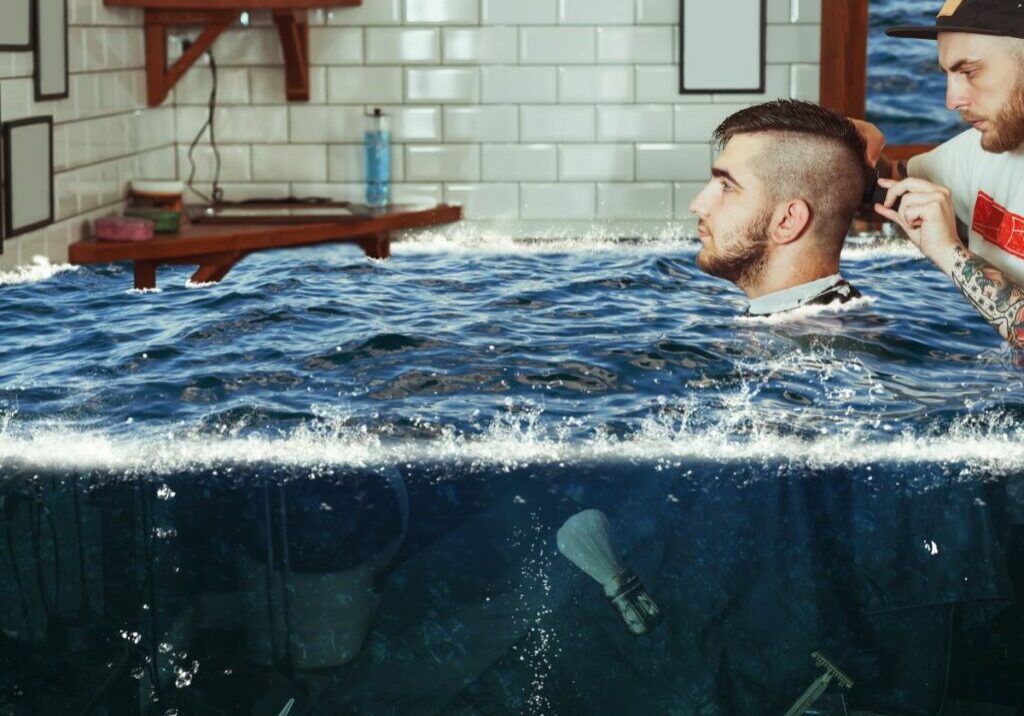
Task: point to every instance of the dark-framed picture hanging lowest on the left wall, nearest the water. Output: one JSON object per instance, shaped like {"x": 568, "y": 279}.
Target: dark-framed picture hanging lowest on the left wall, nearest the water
{"x": 28, "y": 169}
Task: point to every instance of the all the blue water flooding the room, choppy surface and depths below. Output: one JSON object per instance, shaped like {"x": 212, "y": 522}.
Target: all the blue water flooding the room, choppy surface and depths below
{"x": 402, "y": 440}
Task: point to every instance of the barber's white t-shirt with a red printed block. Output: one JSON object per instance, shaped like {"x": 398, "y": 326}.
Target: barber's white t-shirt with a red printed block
{"x": 989, "y": 197}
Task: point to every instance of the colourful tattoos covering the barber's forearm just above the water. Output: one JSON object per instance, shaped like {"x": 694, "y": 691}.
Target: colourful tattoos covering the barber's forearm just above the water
{"x": 998, "y": 299}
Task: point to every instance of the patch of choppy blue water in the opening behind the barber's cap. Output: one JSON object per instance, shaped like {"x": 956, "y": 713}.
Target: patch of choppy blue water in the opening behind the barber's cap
{"x": 906, "y": 88}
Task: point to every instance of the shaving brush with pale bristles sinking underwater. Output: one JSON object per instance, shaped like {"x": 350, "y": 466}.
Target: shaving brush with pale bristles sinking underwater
{"x": 585, "y": 540}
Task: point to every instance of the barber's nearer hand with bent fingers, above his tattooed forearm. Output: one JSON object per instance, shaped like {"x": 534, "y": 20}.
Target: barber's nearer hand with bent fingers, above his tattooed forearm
{"x": 926, "y": 215}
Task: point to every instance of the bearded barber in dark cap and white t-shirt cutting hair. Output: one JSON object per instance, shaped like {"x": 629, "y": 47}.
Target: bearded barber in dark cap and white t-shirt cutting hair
{"x": 978, "y": 177}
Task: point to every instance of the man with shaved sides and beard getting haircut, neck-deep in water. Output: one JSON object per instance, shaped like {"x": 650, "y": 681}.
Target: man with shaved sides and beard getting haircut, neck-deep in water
{"x": 783, "y": 195}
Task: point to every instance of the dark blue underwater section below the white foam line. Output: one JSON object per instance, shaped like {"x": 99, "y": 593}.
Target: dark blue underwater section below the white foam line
{"x": 447, "y": 588}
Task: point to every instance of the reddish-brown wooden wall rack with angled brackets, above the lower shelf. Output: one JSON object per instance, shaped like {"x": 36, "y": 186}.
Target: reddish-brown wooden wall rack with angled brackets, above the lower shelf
{"x": 217, "y": 17}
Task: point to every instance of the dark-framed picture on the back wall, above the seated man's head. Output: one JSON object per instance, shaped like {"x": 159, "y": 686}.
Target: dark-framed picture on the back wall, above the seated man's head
{"x": 709, "y": 27}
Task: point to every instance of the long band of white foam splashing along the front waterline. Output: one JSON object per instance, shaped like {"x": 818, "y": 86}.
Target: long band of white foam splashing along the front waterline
{"x": 995, "y": 445}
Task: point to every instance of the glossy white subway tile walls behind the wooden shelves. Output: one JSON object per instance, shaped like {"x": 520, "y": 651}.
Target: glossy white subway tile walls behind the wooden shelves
{"x": 532, "y": 110}
